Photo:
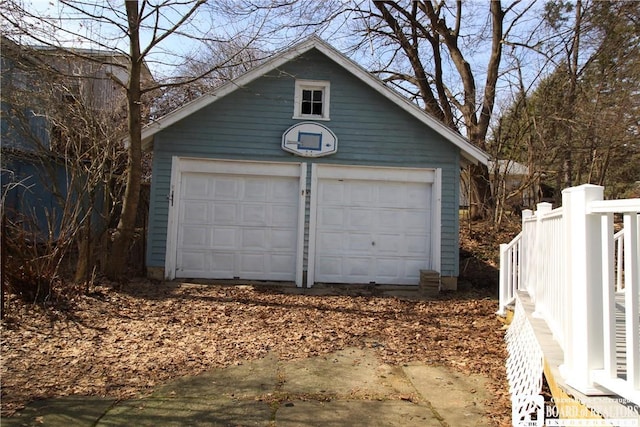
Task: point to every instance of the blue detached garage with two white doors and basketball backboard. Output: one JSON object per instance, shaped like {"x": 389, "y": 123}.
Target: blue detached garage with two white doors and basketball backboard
{"x": 306, "y": 169}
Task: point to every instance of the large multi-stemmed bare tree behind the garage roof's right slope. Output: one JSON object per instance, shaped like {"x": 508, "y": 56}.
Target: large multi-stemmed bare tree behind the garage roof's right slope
{"x": 427, "y": 49}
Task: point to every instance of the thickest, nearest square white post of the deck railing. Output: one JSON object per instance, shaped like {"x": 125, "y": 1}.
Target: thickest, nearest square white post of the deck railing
{"x": 584, "y": 334}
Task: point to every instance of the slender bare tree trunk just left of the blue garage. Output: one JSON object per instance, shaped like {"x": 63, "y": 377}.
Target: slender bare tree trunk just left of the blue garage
{"x": 123, "y": 236}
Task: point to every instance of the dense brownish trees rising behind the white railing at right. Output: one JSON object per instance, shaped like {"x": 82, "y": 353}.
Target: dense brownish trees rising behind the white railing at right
{"x": 581, "y": 118}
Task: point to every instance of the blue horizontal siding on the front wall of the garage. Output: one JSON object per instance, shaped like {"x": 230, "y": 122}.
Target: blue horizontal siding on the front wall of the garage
{"x": 248, "y": 124}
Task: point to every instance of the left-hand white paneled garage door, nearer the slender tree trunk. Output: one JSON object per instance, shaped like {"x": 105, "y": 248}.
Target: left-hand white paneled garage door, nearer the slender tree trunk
{"x": 238, "y": 226}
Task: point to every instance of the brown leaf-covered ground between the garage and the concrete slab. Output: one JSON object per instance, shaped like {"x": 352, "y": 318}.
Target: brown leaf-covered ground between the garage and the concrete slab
{"x": 124, "y": 342}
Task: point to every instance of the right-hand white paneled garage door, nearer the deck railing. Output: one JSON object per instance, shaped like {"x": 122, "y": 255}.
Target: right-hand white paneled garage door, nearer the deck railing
{"x": 373, "y": 230}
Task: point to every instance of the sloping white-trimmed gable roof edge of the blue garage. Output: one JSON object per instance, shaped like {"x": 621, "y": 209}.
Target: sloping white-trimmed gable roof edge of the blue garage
{"x": 469, "y": 151}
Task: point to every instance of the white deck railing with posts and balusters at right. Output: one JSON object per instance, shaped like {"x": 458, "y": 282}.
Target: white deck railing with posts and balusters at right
{"x": 573, "y": 265}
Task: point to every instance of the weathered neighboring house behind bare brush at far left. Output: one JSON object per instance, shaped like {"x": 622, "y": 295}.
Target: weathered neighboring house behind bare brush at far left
{"x": 37, "y": 81}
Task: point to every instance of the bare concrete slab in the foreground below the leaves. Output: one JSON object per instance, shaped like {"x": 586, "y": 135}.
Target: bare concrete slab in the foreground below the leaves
{"x": 347, "y": 388}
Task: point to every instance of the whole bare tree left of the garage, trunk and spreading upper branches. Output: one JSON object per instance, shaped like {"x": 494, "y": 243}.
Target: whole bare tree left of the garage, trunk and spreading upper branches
{"x": 140, "y": 32}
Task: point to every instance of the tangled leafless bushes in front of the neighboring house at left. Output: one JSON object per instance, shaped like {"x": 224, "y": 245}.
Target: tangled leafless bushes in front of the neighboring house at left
{"x": 57, "y": 106}
